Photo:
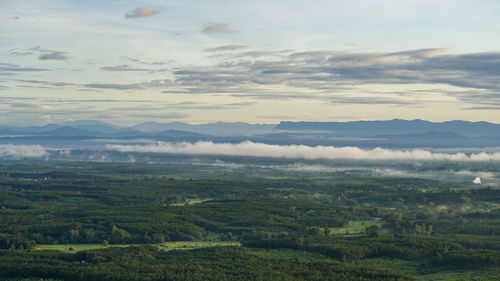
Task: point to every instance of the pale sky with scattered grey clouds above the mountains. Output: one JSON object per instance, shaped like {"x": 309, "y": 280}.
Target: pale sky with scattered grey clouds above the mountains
{"x": 127, "y": 62}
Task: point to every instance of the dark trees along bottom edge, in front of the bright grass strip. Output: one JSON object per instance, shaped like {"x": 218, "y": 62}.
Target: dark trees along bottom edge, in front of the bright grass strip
{"x": 149, "y": 263}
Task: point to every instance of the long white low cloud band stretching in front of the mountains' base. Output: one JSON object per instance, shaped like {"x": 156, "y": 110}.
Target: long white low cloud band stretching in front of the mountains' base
{"x": 249, "y": 148}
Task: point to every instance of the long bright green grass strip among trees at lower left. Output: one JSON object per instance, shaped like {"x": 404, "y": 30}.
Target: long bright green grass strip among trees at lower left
{"x": 167, "y": 246}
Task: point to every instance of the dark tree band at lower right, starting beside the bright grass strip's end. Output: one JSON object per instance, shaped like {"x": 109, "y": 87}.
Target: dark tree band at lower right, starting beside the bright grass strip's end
{"x": 435, "y": 252}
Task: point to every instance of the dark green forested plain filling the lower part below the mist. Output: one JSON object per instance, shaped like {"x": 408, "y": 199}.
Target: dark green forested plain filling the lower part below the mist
{"x": 305, "y": 226}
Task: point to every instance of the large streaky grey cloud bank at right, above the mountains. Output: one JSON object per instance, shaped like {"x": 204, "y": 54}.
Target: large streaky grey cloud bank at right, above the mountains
{"x": 327, "y": 73}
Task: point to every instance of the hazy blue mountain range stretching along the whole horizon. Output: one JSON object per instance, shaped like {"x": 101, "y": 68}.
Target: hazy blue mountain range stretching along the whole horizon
{"x": 389, "y": 133}
